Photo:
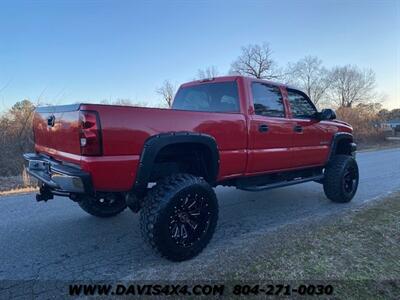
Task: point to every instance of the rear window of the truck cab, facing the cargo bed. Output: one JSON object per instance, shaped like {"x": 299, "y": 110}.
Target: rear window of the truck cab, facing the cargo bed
{"x": 211, "y": 97}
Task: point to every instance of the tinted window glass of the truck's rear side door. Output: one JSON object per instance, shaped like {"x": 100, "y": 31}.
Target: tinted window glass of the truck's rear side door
{"x": 267, "y": 100}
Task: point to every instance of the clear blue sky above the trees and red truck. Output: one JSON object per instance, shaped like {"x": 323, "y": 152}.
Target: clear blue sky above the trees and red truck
{"x": 87, "y": 51}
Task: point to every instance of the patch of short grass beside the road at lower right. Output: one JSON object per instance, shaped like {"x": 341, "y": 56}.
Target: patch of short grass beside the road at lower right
{"x": 357, "y": 252}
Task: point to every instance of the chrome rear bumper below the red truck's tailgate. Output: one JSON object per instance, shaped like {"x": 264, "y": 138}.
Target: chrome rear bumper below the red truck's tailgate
{"x": 56, "y": 176}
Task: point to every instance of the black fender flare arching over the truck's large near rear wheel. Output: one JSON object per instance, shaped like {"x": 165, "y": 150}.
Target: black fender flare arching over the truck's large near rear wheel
{"x": 154, "y": 144}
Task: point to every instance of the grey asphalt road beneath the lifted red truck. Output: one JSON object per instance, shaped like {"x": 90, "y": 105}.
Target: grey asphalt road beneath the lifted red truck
{"x": 57, "y": 240}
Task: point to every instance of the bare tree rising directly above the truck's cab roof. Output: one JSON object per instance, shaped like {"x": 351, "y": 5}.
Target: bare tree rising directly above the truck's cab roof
{"x": 256, "y": 61}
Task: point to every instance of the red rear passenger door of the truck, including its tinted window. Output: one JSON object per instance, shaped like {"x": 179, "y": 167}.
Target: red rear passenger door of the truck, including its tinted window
{"x": 270, "y": 134}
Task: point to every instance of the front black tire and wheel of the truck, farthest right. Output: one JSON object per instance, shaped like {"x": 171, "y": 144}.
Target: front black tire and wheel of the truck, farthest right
{"x": 341, "y": 179}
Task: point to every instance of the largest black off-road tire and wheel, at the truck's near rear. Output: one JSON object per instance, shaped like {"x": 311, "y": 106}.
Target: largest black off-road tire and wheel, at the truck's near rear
{"x": 179, "y": 216}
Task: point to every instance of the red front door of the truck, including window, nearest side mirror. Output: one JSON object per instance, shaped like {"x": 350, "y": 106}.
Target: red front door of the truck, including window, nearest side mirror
{"x": 310, "y": 139}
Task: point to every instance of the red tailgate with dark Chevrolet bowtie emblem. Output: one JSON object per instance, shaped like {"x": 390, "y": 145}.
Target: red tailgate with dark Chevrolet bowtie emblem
{"x": 56, "y": 131}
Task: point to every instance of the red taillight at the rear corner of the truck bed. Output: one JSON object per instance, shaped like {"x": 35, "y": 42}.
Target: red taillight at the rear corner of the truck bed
{"x": 90, "y": 133}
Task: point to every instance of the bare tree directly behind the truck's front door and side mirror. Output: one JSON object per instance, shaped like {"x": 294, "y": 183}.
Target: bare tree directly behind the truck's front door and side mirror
{"x": 309, "y": 75}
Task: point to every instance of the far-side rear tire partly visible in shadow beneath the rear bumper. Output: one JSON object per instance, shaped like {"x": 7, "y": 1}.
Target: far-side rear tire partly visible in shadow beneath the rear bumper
{"x": 104, "y": 207}
